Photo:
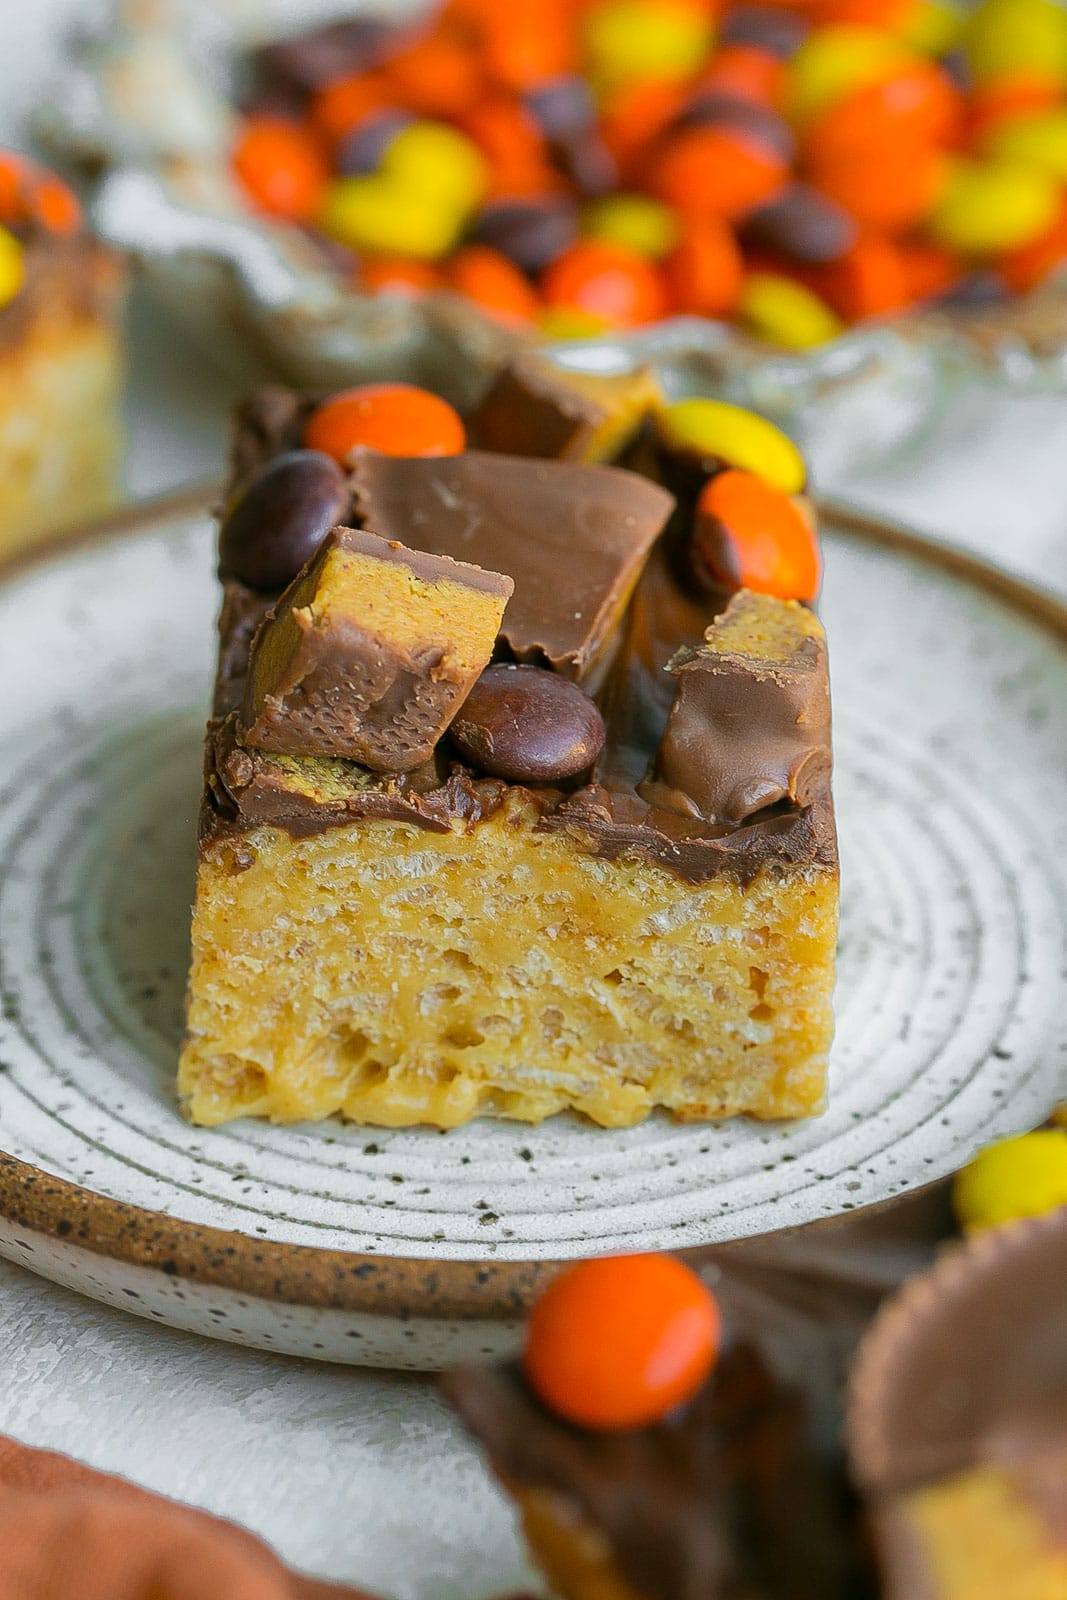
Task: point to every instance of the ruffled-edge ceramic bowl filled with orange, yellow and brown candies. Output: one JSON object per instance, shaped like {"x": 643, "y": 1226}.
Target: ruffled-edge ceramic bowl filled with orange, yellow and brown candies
{"x": 810, "y": 201}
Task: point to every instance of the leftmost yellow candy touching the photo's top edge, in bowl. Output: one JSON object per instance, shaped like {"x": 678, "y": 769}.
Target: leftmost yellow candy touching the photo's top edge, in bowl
{"x": 645, "y": 39}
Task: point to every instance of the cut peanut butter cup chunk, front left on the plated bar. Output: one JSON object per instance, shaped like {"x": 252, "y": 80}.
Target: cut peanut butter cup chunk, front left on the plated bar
{"x": 327, "y": 681}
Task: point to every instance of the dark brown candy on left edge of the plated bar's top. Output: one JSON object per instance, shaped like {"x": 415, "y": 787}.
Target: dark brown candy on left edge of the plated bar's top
{"x": 278, "y": 522}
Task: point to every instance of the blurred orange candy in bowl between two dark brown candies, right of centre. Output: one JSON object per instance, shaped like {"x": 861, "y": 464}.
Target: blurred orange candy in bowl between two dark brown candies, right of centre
{"x": 716, "y": 172}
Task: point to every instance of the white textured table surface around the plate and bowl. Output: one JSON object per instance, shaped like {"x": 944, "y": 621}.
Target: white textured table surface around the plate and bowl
{"x": 364, "y": 1476}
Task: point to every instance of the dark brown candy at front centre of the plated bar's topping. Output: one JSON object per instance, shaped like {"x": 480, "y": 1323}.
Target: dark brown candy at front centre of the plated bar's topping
{"x": 529, "y": 726}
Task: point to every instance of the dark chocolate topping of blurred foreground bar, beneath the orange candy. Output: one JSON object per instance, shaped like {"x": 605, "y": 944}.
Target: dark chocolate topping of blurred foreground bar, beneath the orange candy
{"x": 727, "y": 1502}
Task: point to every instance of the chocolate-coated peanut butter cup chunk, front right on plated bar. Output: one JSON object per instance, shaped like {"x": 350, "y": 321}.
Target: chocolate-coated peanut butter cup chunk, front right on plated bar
{"x": 745, "y": 732}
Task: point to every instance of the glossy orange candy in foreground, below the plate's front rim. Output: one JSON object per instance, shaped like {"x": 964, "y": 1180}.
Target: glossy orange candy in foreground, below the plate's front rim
{"x": 620, "y": 1342}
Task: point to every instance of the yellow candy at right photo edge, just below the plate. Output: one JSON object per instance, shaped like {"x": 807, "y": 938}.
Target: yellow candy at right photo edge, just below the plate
{"x": 1023, "y": 1177}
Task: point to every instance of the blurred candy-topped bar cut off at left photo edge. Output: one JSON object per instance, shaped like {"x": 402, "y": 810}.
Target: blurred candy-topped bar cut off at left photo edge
{"x": 60, "y": 359}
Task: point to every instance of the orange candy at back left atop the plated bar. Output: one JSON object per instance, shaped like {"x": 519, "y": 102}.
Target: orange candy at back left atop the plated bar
{"x": 398, "y": 420}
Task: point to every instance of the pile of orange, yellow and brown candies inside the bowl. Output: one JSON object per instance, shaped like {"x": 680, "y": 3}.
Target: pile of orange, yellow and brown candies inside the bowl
{"x": 588, "y": 166}
